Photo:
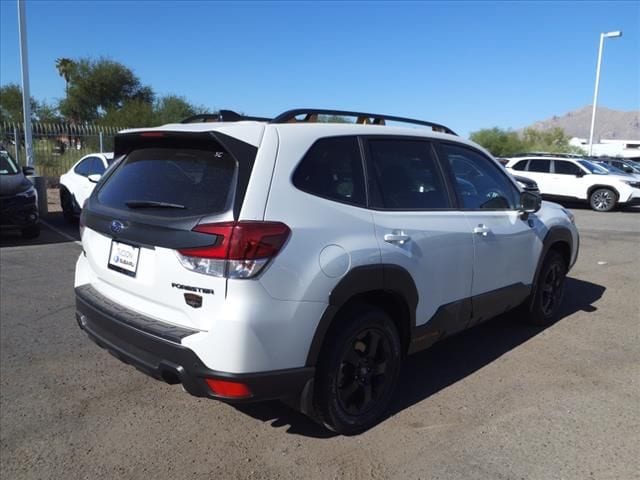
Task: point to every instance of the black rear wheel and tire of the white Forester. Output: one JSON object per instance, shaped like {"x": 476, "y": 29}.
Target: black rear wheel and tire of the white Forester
{"x": 357, "y": 371}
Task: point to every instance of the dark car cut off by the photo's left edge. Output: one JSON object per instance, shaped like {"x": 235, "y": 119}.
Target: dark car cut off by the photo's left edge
{"x": 18, "y": 197}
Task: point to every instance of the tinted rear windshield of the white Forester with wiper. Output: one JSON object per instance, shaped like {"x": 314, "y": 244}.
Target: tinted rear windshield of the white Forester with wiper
{"x": 199, "y": 180}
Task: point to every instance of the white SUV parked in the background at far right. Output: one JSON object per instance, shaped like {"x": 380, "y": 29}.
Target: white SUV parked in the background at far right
{"x": 569, "y": 178}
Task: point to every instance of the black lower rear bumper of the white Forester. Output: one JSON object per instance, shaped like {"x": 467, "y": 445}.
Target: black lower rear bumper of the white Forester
{"x": 155, "y": 349}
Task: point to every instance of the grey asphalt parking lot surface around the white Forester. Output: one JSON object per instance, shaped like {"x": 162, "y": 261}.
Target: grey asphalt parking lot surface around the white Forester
{"x": 501, "y": 401}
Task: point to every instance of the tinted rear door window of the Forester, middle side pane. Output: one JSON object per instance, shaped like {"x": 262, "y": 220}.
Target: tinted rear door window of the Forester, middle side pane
{"x": 407, "y": 175}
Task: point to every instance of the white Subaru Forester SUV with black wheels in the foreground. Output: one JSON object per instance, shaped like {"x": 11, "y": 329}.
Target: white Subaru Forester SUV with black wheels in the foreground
{"x": 252, "y": 259}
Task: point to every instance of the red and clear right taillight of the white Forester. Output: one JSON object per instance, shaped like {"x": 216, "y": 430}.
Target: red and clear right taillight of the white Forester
{"x": 239, "y": 249}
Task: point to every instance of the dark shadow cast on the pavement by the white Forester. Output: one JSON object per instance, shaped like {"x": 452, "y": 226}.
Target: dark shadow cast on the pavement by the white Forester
{"x": 446, "y": 363}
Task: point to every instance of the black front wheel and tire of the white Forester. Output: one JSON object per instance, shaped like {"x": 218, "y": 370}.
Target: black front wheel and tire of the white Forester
{"x": 543, "y": 308}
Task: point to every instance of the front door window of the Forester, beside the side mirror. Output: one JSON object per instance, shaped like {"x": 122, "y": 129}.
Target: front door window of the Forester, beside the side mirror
{"x": 479, "y": 182}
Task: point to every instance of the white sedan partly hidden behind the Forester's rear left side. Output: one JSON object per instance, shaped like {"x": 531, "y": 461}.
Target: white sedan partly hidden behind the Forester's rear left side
{"x": 77, "y": 184}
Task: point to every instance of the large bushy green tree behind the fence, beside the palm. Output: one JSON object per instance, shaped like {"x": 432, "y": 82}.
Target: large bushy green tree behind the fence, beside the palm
{"x": 100, "y": 86}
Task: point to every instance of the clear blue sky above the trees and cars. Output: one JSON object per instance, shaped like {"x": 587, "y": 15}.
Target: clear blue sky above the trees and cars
{"x": 468, "y": 65}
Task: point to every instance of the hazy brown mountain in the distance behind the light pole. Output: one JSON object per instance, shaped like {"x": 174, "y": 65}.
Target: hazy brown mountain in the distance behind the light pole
{"x": 610, "y": 124}
